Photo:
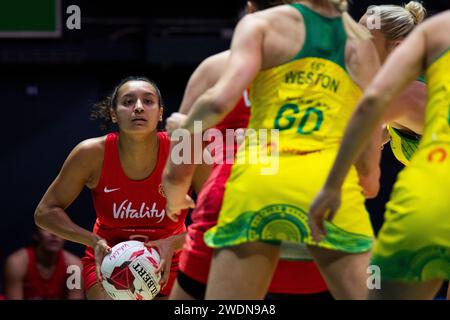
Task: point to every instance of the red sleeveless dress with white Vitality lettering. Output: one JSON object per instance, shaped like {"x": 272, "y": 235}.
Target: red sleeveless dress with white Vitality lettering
{"x": 131, "y": 210}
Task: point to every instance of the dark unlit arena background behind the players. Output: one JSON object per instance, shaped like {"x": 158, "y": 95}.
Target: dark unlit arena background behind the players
{"x": 48, "y": 87}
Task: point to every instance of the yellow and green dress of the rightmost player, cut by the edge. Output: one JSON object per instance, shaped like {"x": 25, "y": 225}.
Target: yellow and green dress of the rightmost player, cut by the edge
{"x": 414, "y": 242}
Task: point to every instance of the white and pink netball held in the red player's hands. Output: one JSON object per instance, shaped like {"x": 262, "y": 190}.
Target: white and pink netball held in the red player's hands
{"x": 129, "y": 272}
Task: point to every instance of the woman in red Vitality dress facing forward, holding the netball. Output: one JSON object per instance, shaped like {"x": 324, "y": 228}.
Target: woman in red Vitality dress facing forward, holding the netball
{"x": 123, "y": 171}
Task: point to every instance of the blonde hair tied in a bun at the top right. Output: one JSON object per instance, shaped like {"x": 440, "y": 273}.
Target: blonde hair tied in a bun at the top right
{"x": 397, "y": 22}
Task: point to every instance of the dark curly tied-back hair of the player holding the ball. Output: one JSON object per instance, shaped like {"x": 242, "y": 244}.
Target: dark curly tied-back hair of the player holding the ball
{"x": 102, "y": 109}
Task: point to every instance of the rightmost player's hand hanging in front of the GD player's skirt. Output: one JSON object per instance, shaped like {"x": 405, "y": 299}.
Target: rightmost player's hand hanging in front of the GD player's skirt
{"x": 323, "y": 208}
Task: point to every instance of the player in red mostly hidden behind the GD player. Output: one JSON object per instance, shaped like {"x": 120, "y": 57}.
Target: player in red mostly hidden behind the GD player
{"x": 292, "y": 279}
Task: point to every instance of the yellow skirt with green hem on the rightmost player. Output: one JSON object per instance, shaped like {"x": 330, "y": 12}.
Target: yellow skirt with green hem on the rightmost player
{"x": 414, "y": 242}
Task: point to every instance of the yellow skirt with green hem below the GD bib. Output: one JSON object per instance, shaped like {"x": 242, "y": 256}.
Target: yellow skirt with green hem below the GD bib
{"x": 262, "y": 204}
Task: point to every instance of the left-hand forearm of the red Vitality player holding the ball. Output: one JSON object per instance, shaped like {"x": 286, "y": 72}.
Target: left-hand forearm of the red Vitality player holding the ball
{"x": 56, "y": 220}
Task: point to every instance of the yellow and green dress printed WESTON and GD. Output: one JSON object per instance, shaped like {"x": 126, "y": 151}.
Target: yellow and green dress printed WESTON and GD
{"x": 307, "y": 102}
